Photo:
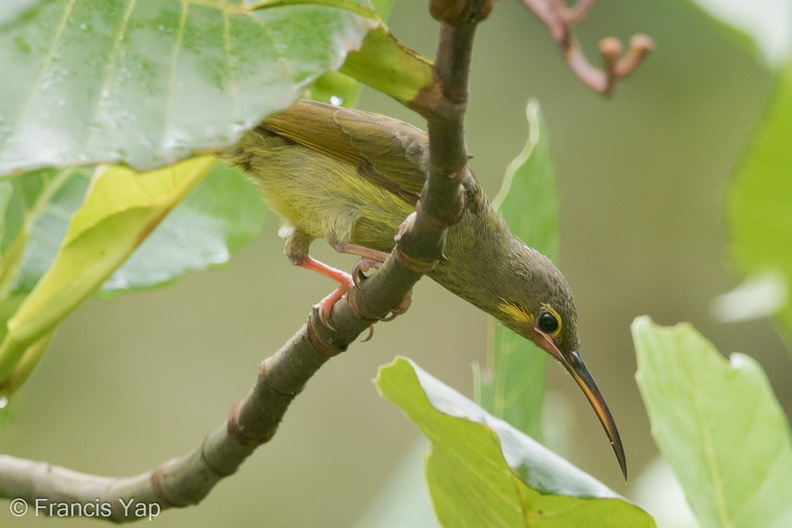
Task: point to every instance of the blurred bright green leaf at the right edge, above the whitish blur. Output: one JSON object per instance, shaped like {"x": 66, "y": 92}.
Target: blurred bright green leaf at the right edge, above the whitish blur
{"x": 759, "y": 202}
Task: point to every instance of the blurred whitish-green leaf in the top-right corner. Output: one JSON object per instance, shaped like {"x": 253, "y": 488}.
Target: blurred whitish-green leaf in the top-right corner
{"x": 760, "y": 25}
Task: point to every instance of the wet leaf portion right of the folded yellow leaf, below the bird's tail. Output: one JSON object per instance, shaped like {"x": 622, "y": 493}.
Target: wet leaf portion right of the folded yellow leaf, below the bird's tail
{"x": 219, "y": 216}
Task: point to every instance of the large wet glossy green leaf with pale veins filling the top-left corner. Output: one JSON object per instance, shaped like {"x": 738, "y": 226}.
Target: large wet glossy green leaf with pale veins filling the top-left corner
{"x": 151, "y": 81}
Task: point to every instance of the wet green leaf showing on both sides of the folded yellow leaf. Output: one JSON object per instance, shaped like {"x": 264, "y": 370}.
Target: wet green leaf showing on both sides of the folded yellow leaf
{"x": 221, "y": 214}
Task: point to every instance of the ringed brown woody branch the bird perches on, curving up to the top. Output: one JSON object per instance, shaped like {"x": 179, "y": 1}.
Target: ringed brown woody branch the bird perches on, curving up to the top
{"x": 186, "y": 480}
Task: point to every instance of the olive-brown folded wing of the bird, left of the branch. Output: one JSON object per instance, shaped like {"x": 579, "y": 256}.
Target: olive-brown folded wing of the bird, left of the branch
{"x": 385, "y": 151}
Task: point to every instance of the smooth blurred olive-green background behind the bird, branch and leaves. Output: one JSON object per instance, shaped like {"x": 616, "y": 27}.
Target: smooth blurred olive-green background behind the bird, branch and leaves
{"x": 131, "y": 382}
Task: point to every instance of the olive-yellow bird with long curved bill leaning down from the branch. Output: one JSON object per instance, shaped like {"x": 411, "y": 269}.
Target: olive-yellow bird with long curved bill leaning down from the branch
{"x": 351, "y": 177}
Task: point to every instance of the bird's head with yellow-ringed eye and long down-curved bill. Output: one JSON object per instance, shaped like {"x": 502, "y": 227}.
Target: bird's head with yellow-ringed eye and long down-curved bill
{"x": 538, "y": 305}
